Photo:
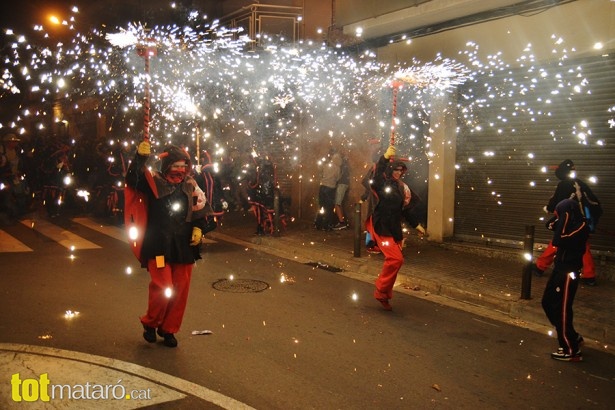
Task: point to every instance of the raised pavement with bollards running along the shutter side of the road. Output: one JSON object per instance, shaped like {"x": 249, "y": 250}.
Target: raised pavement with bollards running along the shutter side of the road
{"x": 486, "y": 280}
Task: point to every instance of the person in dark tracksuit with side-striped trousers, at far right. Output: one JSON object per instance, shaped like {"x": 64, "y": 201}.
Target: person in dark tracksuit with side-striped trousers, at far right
{"x": 570, "y": 233}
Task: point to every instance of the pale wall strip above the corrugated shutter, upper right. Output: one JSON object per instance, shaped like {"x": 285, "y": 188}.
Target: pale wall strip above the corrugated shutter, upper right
{"x": 581, "y": 24}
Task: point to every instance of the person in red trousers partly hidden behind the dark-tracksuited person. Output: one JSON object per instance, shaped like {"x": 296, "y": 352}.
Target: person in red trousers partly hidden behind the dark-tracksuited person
{"x": 571, "y": 187}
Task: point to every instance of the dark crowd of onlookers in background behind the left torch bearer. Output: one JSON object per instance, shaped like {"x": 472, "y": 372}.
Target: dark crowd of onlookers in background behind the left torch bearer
{"x": 56, "y": 175}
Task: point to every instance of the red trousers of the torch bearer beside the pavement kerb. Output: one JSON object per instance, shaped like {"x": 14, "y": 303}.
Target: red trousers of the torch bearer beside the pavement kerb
{"x": 393, "y": 260}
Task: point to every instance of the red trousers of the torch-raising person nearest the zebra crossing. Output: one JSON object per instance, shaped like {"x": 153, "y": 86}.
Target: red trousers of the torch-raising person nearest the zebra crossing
{"x": 168, "y": 295}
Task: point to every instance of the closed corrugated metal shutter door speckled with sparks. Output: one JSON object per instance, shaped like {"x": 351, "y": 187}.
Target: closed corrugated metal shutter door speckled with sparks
{"x": 501, "y": 182}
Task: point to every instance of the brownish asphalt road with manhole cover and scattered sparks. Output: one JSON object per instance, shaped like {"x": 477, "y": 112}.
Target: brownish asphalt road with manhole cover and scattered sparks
{"x": 312, "y": 339}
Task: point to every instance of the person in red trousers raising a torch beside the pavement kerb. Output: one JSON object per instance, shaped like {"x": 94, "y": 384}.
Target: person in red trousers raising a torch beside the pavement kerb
{"x": 391, "y": 204}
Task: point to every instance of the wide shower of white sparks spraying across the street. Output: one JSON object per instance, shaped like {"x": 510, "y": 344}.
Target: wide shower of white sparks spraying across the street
{"x": 214, "y": 83}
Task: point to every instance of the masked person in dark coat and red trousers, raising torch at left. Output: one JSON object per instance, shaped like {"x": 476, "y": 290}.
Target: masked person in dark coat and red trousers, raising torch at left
{"x": 176, "y": 210}
